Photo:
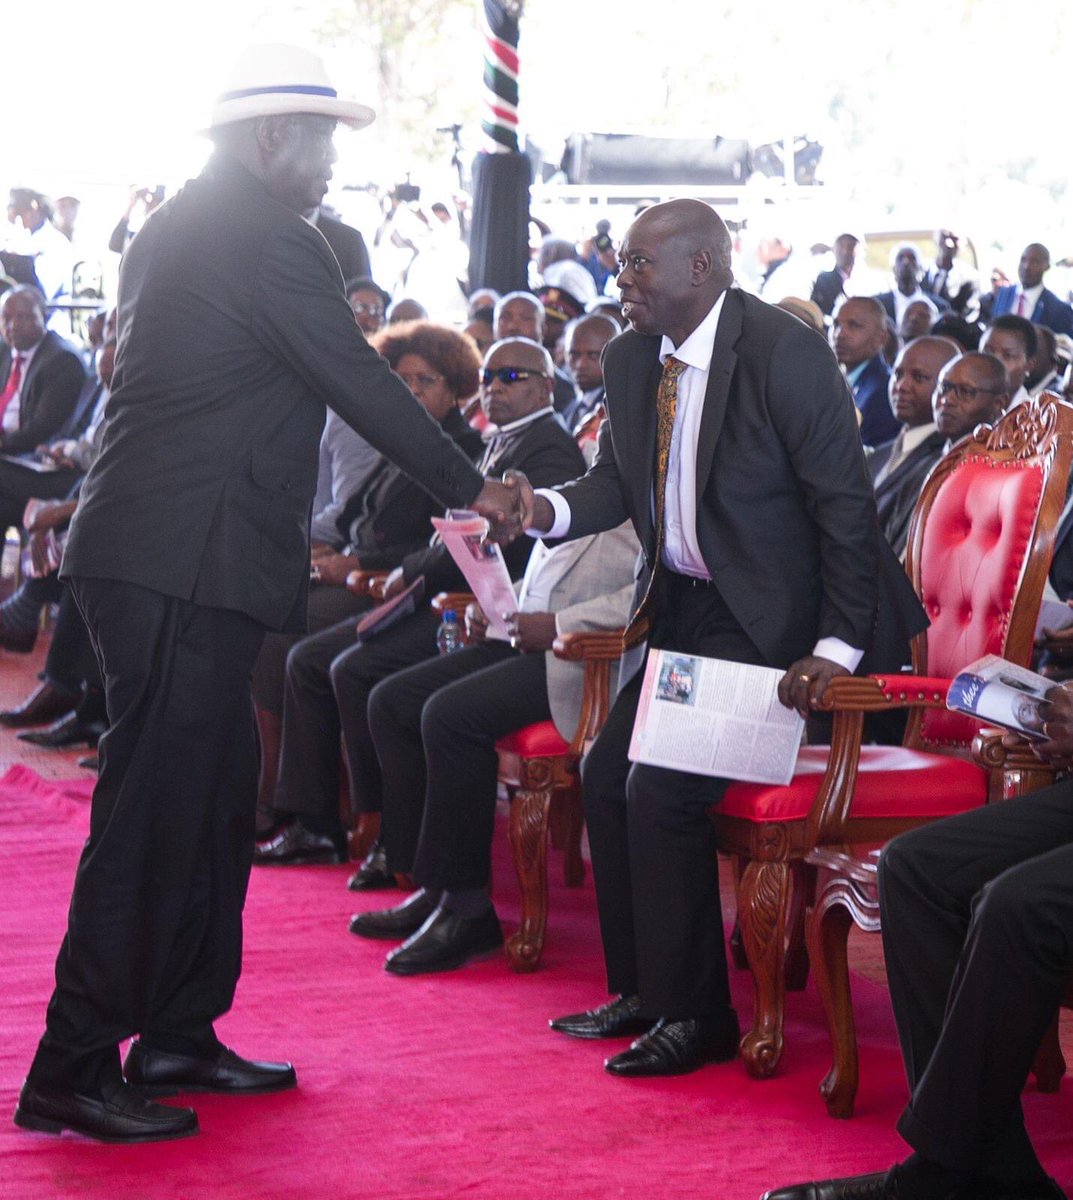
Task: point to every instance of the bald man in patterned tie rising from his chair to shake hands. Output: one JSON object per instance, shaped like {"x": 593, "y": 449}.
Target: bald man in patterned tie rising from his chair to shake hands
{"x": 732, "y": 443}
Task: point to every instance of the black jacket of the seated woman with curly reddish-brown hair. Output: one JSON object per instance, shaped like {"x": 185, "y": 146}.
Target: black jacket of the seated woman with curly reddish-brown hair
{"x": 389, "y": 518}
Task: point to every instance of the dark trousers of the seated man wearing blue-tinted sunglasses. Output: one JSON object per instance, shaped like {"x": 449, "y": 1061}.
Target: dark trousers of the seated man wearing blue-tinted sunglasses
{"x": 329, "y": 679}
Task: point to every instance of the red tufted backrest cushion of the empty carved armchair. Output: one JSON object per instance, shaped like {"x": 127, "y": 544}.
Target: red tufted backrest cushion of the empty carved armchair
{"x": 974, "y": 550}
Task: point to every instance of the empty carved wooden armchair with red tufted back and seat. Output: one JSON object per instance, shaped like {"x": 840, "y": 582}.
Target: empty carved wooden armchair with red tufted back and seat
{"x": 979, "y": 554}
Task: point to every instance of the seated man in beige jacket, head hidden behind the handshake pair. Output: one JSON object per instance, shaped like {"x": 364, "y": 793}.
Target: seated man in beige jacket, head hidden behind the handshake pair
{"x": 435, "y": 729}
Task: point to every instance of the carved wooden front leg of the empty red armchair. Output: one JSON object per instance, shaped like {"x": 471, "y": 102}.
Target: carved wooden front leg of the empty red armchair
{"x": 764, "y": 901}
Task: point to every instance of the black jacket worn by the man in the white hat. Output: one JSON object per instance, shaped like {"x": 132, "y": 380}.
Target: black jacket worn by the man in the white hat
{"x": 233, "y": 335}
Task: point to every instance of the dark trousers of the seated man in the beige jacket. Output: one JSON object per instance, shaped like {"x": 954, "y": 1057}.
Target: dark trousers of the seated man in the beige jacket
{"x": 435, "y": 728}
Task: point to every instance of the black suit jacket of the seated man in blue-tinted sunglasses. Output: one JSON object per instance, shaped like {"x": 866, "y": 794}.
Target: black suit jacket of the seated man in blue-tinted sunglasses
{"x": 548, "y": 455}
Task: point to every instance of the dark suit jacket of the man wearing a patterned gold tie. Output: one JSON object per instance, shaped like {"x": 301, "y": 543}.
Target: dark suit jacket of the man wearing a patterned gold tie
{"x": 787, "y": 518}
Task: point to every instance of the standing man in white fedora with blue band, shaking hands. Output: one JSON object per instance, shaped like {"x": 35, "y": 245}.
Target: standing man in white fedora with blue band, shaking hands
{"x": 191, "y": 541}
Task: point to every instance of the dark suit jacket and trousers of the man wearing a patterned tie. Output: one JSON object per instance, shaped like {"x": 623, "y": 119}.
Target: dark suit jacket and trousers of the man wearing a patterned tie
{"x": 787, "y": 525}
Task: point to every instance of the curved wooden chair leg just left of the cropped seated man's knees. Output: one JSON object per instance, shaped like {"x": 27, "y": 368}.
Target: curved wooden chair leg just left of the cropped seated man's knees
{"x": 829, "y": 933}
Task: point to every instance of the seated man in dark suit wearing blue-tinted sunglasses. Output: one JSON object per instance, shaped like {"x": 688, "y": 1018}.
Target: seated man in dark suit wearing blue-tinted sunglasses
{"x": 517, "y": 397}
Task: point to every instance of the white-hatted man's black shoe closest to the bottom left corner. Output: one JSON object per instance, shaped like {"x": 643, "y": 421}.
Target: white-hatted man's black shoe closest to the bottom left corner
{"x": 121, "y": 1114}
